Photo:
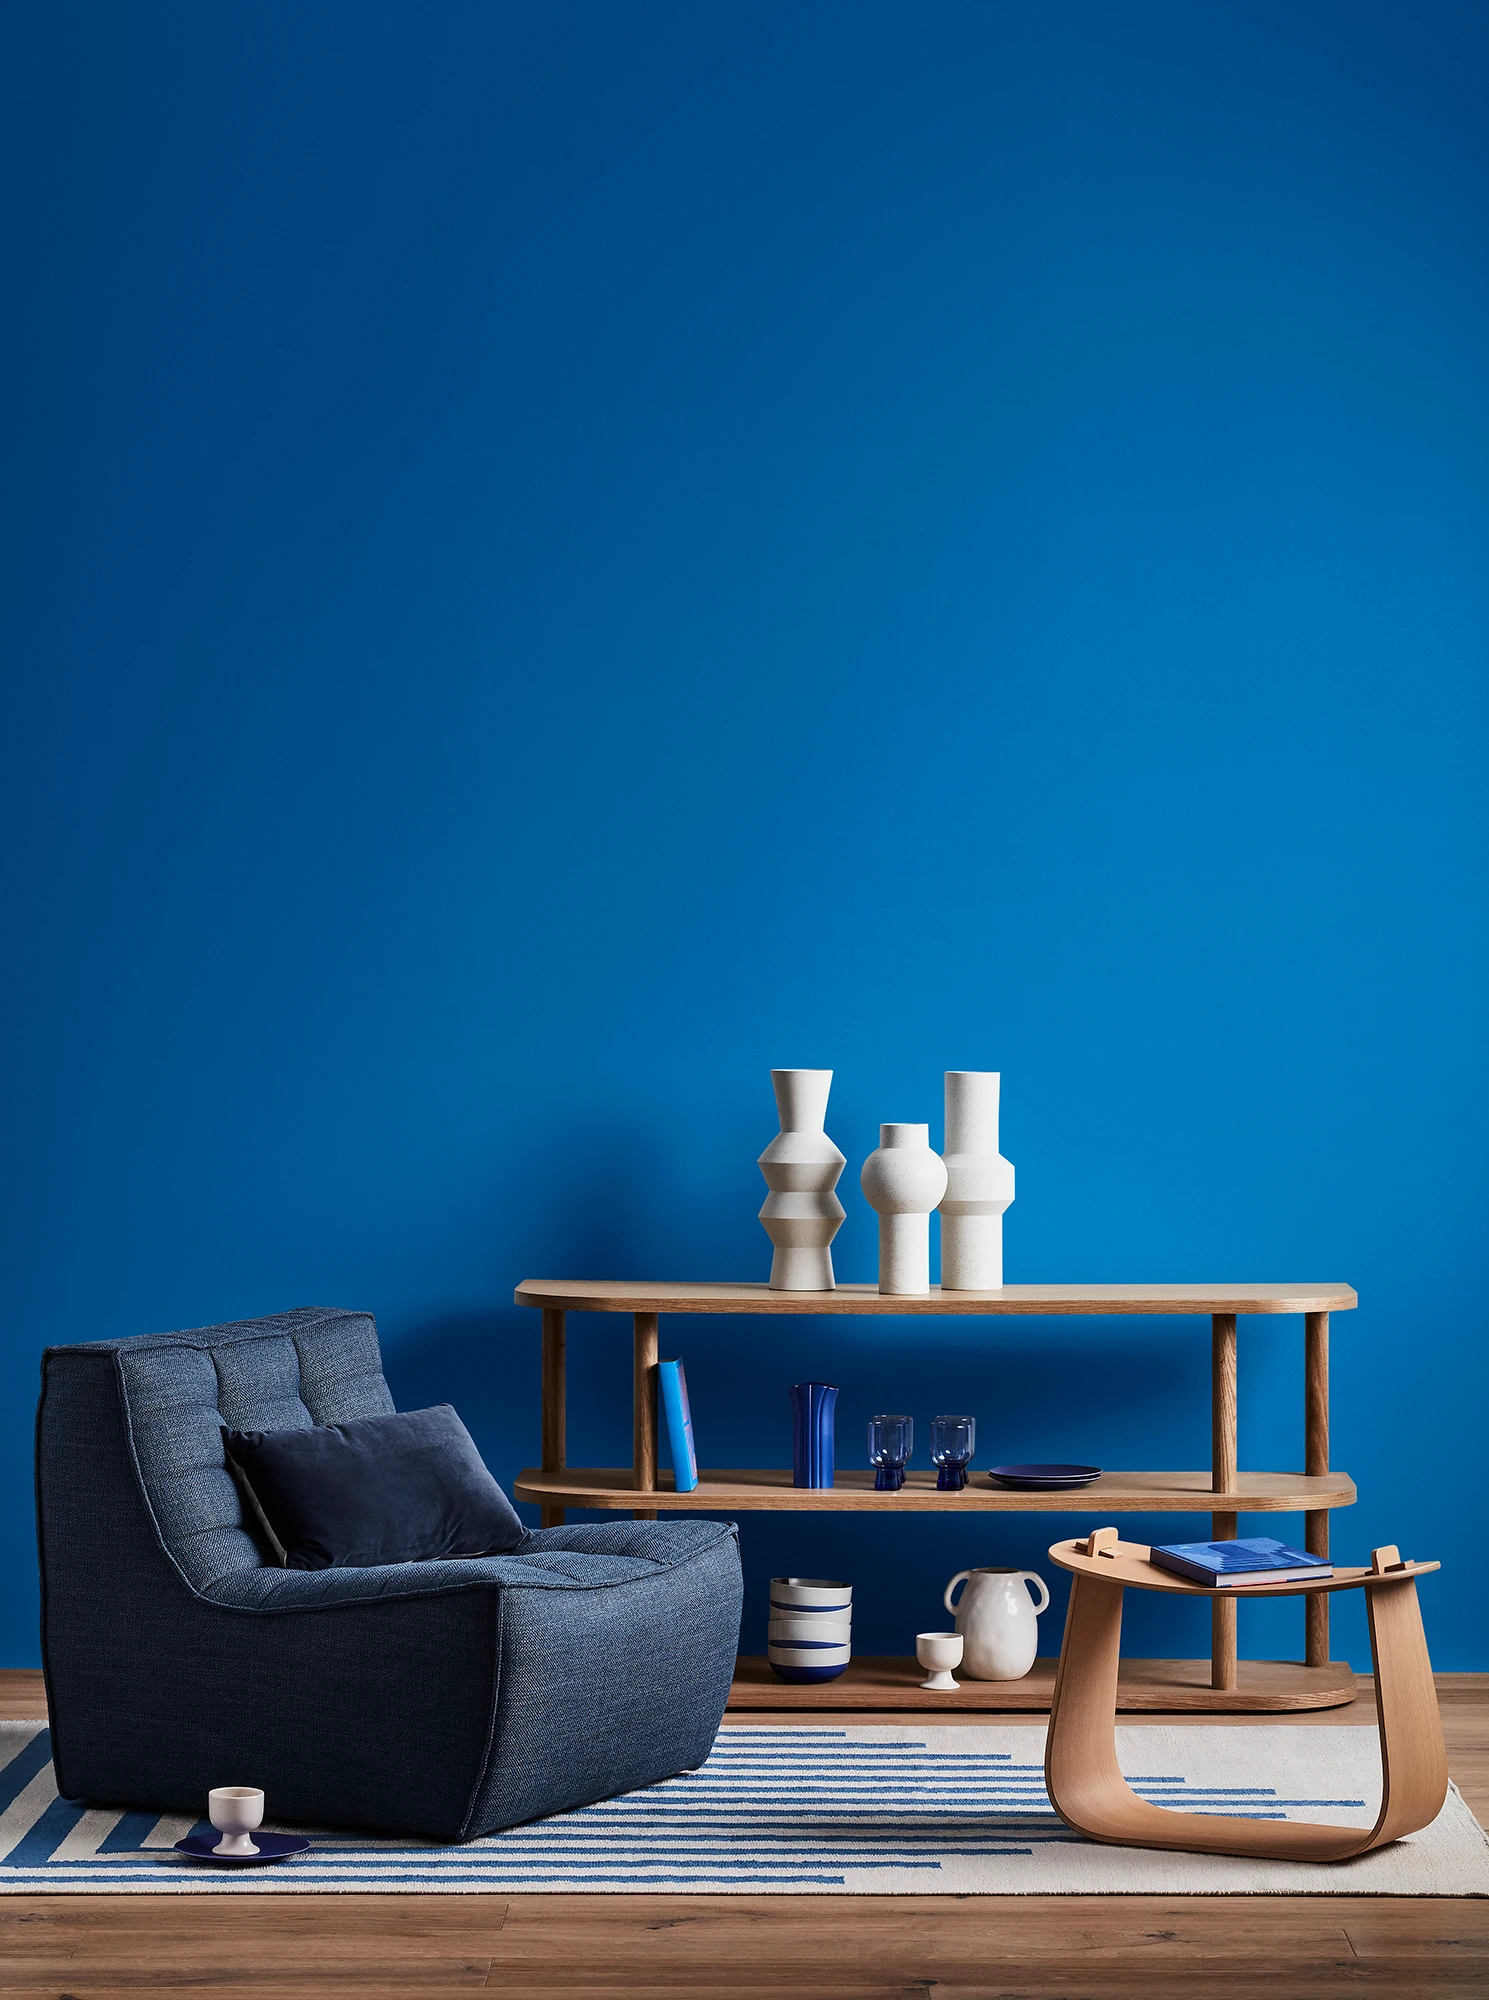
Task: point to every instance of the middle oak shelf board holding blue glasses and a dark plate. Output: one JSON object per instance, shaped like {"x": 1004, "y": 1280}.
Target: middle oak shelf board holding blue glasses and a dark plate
{"x": 770, "y": 1489}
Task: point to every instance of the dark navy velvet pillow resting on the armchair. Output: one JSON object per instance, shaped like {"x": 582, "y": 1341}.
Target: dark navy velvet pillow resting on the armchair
{"x": 379, "y": 1489}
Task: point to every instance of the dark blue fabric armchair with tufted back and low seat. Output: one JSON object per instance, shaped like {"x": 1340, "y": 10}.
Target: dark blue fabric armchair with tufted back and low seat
{"x": 443, "y": 1699}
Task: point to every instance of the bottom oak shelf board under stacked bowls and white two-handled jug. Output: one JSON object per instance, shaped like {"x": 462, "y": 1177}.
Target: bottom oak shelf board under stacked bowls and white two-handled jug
{"x": 1170, "y": 1687}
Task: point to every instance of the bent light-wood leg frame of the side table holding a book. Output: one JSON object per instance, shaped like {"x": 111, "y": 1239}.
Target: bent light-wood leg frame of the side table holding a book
{"x": 1082, "y": 1773}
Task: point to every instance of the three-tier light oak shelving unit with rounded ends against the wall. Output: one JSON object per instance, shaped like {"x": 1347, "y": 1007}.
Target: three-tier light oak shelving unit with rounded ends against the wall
{"x": 1224, "y": 1493}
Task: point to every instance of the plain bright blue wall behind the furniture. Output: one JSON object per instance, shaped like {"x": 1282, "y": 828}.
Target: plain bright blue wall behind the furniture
{"x": 569, "y": 555}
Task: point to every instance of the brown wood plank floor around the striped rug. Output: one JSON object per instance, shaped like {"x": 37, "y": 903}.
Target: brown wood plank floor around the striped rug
{"x": 778, "y": 1947}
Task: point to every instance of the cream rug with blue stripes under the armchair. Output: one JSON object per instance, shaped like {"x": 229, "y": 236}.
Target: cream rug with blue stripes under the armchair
{"x": 804, "y": 1811}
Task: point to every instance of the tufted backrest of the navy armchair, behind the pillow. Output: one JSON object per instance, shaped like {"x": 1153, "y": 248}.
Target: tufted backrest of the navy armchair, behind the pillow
{"x": 173, "y": 1395}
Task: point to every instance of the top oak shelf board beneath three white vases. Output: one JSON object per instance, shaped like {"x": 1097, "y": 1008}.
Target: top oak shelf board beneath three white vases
{"x": 607, "y": 1295}
